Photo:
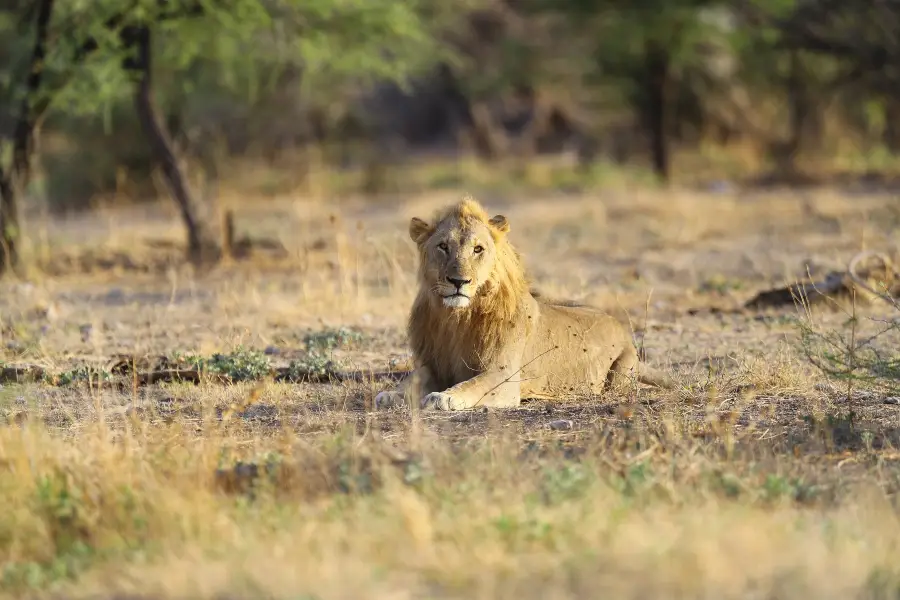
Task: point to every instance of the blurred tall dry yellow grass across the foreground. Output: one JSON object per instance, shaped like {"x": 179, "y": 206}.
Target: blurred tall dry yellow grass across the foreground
{"x": 137, "y": 511}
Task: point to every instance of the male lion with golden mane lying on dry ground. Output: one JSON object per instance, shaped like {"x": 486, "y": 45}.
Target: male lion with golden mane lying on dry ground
{"x": 480, "y": 338}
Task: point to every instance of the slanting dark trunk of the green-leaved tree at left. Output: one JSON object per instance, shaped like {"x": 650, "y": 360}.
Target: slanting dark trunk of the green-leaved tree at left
{"x": 204, "y": 241}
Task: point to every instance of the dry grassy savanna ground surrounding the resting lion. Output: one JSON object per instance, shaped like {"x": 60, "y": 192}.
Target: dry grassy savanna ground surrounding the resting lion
{"x": 750, "y": 482}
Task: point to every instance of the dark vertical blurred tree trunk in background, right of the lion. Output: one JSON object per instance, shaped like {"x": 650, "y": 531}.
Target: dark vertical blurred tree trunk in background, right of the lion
{"x": 657, "y": 87}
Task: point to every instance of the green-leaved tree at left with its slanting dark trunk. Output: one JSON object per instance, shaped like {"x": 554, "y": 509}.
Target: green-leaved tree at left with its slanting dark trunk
{"x": 88, "y": 55}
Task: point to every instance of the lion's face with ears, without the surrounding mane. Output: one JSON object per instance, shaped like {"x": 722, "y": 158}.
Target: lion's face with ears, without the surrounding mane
{"x": 458, "y": 256}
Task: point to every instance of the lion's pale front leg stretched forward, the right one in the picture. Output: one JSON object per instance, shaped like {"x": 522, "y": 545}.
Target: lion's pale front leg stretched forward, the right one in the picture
{"x": 498, "y": 389}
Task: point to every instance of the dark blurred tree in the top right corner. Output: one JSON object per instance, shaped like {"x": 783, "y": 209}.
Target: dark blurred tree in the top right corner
{"x": 828, "y": 55}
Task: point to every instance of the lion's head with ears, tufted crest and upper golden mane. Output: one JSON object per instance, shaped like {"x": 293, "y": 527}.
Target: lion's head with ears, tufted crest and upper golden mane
{"x": 465, "y": 256}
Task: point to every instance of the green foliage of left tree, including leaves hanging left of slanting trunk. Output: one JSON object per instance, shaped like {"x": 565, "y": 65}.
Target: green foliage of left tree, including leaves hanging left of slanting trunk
{"x": 236, "y": 52}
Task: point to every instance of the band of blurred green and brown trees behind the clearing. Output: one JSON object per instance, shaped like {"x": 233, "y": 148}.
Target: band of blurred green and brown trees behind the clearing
{"x": 128, "y": 99}
